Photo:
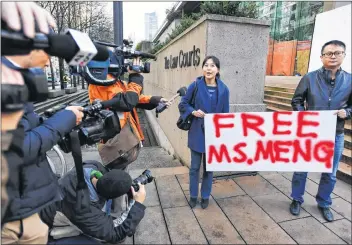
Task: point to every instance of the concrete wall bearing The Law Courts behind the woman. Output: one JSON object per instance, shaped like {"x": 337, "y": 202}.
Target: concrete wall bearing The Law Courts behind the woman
{"x": 241, "y": 44}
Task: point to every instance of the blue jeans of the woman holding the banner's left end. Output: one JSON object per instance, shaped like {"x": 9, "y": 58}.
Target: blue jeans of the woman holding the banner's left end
{"x": 196, "y": 160}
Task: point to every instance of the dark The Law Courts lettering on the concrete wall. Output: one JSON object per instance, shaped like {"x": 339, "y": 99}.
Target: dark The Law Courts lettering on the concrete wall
{"x": 184, "y": 59}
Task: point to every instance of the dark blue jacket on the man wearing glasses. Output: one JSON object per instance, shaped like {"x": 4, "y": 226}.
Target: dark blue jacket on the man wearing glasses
{"x": 317, "y": 90}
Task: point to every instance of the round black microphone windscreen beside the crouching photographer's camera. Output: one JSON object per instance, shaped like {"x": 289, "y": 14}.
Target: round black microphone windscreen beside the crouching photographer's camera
{"x": 114, "y": 183}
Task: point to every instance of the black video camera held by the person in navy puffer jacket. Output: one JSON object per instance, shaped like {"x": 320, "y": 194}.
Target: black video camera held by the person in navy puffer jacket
{"x": 97, "y": 124}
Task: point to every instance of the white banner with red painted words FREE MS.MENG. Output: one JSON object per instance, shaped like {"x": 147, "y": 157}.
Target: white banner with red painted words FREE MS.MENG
{"x": 270, "y": 141}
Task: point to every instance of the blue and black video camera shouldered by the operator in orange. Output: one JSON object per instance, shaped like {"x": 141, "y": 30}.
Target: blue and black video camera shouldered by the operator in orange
{"x": 96, "y": 72}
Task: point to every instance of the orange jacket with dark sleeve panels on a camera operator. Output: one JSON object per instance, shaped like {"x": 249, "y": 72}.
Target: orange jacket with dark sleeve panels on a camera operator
{"x": 129, "y": 98}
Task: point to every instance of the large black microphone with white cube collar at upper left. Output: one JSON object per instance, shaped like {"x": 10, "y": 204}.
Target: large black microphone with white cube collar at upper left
{"x": 76, "y": 49}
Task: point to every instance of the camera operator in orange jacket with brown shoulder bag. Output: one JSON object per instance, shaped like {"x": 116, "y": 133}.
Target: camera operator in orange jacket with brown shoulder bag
{"x": 124, "y": 97}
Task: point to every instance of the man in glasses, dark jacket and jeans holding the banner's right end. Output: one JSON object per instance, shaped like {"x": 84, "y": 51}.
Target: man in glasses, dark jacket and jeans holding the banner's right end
{"x": 328, "y": 88}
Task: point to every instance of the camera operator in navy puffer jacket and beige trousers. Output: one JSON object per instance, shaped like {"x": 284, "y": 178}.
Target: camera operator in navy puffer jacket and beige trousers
{"x": 31, "y": 184}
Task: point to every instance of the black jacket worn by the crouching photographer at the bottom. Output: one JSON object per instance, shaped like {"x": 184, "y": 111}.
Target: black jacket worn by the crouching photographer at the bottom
{"x": 95, "y": 223}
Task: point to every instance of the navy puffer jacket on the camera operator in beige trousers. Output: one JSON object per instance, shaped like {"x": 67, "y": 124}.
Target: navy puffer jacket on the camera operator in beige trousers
{"x": 32, "y": 185}
